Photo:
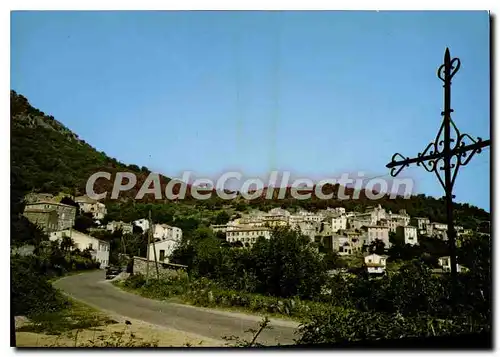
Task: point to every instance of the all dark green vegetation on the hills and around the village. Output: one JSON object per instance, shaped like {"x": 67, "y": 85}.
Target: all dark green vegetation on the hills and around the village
{"x": 285, "y": 275}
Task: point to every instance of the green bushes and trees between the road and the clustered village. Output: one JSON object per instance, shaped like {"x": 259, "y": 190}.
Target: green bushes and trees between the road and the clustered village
{"x": 411, "y": 301}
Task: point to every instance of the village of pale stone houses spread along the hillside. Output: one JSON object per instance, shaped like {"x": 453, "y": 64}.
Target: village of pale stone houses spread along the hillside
{"x": 344, "y": 232}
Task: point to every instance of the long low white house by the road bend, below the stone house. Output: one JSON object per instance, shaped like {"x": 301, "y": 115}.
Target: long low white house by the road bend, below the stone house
{"x": 99, "y": 249}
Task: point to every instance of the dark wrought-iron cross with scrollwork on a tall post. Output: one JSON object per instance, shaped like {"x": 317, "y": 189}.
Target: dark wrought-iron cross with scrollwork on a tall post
{"x": 439, "y": 154}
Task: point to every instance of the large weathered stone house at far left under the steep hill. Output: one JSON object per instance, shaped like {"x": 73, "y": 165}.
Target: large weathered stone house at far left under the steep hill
{"x": 42, "y": 213}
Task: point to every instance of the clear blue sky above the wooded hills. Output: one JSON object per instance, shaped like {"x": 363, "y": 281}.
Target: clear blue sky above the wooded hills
{"x": 317, "y": 93}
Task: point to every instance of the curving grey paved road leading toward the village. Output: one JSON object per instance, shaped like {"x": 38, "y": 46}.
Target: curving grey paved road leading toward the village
{"x": 94, "y": 290}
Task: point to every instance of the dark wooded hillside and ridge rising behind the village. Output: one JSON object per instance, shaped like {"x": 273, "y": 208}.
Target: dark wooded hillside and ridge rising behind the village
{"x": 48, "y": 157}
